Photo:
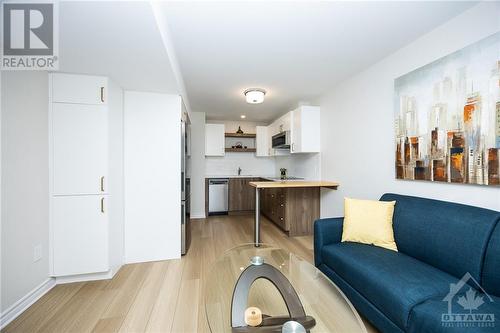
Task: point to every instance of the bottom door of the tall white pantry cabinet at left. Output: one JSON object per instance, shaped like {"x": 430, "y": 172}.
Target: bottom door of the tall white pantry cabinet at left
{"x": 79, "y": 235}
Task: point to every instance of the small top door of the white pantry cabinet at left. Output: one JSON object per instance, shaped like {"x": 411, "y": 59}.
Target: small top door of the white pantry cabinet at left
{"x": 80, "y": 89}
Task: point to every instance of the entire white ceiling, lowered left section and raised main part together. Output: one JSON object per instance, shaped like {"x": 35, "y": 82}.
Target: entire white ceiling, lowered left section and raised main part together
{"x": 294, "y": 50}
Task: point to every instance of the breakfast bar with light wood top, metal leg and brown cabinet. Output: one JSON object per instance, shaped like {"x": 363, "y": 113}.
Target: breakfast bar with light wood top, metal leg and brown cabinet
{"x": 300, "y": 196}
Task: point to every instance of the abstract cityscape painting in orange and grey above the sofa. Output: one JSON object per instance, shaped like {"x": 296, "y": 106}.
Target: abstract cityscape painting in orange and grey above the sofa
{"x": 447, "y": 118}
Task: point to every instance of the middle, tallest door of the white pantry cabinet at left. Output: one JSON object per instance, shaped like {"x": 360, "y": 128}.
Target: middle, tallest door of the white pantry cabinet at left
{"x": 79, "y": 149}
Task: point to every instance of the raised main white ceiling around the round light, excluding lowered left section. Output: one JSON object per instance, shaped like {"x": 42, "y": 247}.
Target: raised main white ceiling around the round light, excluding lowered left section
{"x": 295, "y": 50}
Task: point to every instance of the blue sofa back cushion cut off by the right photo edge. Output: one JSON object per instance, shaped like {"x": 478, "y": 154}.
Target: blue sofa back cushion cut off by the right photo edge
{"x": 491, "y": 269}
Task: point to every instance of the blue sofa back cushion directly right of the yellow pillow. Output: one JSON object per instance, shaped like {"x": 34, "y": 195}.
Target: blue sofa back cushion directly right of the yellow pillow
{"x": 449, "y": 236}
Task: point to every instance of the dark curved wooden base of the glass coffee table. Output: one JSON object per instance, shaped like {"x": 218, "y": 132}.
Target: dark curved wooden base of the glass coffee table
{"x": 251, "y": 319}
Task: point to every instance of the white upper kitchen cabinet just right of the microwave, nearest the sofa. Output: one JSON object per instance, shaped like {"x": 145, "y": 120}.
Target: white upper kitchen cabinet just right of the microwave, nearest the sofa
{"x": 305, "y": 130}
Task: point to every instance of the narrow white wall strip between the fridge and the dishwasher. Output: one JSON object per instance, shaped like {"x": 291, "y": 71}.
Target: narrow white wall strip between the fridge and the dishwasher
{"x": 197, "y": 165}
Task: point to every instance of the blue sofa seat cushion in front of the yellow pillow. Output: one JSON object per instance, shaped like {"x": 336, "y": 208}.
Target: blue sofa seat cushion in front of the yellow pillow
{"x": 392, "y": 281}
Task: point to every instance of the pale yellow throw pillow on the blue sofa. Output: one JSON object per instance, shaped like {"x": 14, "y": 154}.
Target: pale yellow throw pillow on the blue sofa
{"x": 369, "y": 222}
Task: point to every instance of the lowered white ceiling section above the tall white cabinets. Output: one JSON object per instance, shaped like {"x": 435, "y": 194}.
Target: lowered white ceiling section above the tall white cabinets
{"x": 118, "y": 40}
